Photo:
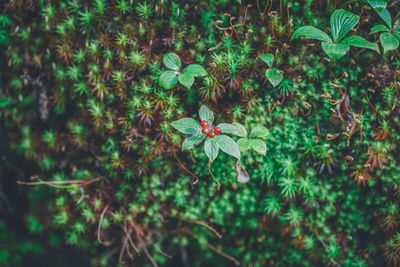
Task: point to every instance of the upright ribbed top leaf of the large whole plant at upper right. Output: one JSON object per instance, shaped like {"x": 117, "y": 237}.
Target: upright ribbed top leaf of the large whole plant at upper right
{"x": 342, "y": 22}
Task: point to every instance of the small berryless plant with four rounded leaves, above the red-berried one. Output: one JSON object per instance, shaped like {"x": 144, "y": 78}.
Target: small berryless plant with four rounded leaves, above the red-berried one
{"x": 170, "y": 78}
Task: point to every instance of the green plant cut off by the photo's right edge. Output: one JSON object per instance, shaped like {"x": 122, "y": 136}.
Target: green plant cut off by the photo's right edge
{"x": 390, "y": 37}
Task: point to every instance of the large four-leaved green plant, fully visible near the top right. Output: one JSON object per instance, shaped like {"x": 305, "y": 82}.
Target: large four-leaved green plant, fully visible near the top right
{"x": 336, "y": 47}
